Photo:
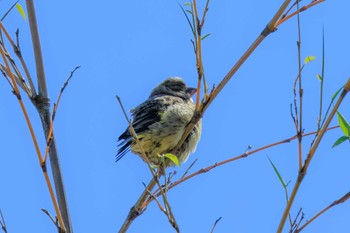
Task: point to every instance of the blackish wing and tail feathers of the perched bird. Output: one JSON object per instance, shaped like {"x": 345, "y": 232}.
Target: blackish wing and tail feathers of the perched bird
{"x": 144, "y": 115}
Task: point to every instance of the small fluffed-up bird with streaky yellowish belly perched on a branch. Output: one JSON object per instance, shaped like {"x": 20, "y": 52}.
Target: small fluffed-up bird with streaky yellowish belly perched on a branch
{"x": 160, "y": 122}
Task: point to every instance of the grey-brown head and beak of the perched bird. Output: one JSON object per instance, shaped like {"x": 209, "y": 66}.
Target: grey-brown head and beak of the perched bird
{"x": 174, "y": 86}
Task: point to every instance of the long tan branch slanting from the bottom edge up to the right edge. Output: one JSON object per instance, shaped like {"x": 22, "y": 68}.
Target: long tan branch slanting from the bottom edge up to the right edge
{"x": 311, "y": 153}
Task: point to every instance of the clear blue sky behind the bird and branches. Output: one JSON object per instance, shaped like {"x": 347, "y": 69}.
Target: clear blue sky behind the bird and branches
{"x": 125, "y": 48}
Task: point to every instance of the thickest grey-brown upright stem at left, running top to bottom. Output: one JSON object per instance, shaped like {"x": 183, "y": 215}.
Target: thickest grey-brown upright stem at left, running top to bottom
{"x": 43, "y": 106}
